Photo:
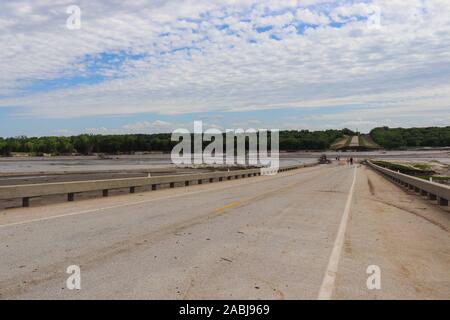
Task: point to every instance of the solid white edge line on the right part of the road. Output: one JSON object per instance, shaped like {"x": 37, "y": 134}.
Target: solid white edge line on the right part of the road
{"x": 327, "y": 287}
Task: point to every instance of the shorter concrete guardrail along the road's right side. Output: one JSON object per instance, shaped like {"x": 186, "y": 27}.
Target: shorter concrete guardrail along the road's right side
{"x": 434, "y": 191}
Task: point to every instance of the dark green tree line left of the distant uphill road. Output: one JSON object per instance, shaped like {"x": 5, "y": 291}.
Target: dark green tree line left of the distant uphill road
{"x": 290, "y": 140}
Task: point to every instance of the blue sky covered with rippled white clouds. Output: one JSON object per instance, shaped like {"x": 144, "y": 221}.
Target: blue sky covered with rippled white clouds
{"x": 145, "y": 66}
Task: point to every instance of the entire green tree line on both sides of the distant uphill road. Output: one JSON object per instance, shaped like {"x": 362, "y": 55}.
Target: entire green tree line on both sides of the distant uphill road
{"x": 290, "y": 140}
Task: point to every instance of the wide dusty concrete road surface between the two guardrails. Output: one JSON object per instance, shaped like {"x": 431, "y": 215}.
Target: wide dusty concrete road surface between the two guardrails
{"x": 301, "y": 234}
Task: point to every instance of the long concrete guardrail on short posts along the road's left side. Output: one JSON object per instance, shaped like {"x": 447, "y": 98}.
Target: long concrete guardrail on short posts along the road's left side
{"x": 28, "y": 191}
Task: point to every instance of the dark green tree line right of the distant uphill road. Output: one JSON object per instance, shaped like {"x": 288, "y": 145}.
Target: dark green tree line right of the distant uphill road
{"x": 394, "y": 138}
